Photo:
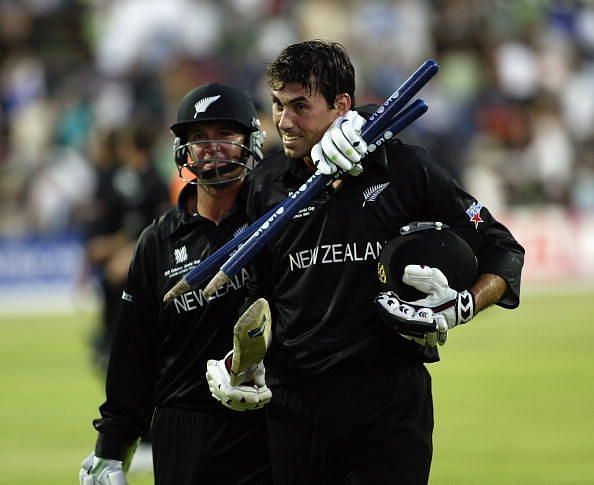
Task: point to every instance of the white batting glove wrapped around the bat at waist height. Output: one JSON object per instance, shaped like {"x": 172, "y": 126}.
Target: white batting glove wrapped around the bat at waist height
{"x": 252, "y": 394}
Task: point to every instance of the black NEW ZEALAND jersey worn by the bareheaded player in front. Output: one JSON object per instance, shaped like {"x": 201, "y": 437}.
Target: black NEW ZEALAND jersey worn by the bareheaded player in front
{"x": 320, "y": 273}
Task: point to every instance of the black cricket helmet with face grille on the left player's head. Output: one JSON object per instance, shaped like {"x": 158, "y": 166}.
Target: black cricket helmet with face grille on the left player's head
{"x": 221, "y": 103}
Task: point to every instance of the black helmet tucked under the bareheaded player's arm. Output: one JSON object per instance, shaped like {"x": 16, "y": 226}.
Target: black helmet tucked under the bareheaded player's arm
{"x": 431, "y": 244}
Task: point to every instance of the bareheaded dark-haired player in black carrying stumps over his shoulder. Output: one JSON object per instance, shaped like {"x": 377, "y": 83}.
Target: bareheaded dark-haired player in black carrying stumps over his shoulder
{"x": 351, "y": 397}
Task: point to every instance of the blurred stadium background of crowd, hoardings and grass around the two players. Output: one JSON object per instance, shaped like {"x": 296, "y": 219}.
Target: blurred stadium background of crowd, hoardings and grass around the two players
{"x": 511, "y": 114}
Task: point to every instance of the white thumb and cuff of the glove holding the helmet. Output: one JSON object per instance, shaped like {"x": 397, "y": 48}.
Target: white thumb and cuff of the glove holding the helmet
{"x": 456, "y": 307}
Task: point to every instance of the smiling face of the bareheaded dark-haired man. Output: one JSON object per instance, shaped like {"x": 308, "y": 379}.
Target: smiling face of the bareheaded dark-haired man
{"x": 301, "y": 117}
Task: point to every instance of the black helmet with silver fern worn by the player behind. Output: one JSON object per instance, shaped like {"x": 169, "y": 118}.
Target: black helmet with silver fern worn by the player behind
{"x": 217, "y": 102}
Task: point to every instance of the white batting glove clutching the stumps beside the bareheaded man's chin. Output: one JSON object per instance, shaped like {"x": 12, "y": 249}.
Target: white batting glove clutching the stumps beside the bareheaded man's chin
{"x": 342, "y": 147}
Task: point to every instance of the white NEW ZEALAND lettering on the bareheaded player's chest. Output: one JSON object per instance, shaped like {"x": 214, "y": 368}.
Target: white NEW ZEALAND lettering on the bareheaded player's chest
{"x": 335, "y": 254}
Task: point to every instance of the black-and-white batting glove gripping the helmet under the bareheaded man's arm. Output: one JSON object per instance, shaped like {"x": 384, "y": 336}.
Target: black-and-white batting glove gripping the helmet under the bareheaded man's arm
{"x": 426, "y": 321}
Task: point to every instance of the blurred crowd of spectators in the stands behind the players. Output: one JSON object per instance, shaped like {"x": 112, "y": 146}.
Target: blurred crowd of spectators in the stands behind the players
{"x": 511, "y": 110}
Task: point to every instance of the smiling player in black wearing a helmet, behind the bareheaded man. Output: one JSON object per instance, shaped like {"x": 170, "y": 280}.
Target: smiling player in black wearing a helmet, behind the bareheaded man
{"x": 156, "y": 370}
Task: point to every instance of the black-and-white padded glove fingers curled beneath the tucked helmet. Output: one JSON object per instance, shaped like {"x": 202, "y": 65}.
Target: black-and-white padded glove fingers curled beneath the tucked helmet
{"x": 420, "y": 325}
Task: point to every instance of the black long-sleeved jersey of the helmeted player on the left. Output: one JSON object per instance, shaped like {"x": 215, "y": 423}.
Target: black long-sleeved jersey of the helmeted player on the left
{"x": 165, "y": 365}
